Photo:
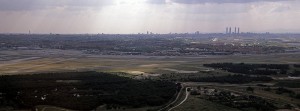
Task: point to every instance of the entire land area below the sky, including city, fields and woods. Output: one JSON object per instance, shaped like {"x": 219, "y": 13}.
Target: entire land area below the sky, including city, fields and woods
{"x": 230, "y": 71}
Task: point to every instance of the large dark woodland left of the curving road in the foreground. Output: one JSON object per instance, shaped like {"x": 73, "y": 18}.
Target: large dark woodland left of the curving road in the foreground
{"x": 82, "y": 91}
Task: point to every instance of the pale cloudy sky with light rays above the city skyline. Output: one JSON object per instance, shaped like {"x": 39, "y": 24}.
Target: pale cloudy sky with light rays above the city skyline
{"x": 140, "y": 16}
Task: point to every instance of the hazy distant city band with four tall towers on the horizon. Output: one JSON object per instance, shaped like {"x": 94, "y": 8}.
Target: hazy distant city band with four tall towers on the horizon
{"x": 150, "y": 44}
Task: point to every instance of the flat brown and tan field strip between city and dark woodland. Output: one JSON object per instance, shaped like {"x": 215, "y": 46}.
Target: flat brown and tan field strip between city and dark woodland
{"x": 33, "y": 61}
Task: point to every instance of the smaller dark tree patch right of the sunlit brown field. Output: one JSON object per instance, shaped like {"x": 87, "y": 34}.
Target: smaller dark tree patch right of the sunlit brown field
{"x": 253, "y": 69}
